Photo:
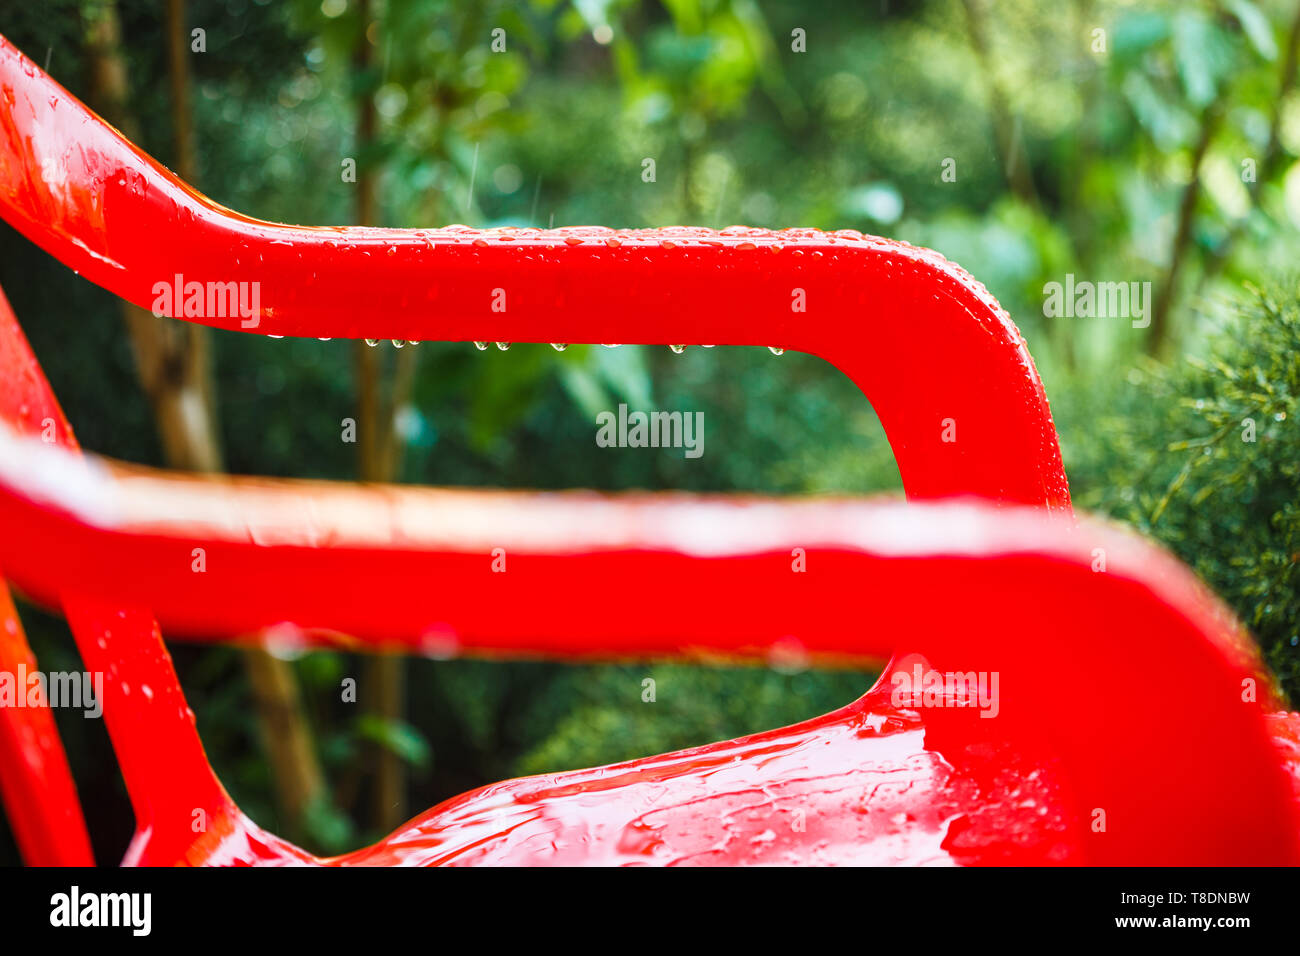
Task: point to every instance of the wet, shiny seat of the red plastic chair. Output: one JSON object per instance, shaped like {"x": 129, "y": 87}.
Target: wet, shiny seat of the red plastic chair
{"x": 861, "y": 786}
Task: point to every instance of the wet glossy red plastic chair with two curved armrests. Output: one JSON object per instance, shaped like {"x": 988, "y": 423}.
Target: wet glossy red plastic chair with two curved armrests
{"x": 1100, "y": 751}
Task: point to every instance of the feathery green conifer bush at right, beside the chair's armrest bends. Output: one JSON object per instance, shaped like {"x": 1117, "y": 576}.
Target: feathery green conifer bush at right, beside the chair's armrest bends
{"x": 1204, "y": 456}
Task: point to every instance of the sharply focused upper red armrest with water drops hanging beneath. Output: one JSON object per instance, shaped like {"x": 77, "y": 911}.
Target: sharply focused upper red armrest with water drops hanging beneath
{"x": 922, "y": 339}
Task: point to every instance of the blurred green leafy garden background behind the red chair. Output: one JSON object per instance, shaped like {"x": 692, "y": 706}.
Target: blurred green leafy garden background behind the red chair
{"x": 1119, "y": 163}
